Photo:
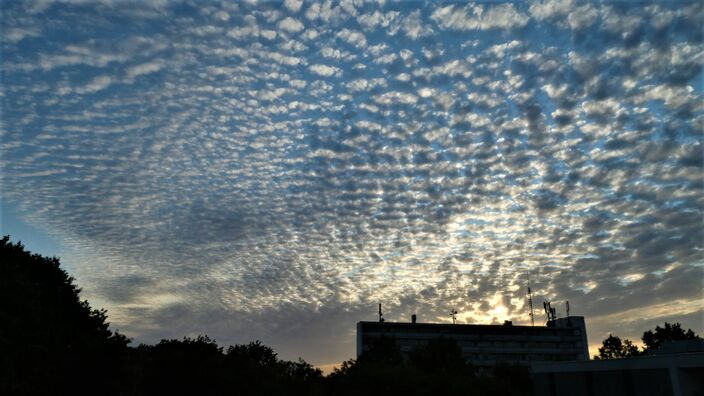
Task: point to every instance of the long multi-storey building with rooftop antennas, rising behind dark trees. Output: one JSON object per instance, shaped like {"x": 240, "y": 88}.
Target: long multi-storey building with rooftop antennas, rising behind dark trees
{"x": 488, "y": 345}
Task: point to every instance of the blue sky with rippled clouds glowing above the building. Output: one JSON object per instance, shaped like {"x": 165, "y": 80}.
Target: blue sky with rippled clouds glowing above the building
{"x": 274, "y": 170}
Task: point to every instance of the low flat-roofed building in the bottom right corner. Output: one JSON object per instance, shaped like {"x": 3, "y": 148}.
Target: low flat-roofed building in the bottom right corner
{"x": 668, "y": 374}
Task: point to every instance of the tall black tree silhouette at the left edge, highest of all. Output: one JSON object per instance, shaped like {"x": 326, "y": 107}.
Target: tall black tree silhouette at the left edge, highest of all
{"x": 51, "y": 341}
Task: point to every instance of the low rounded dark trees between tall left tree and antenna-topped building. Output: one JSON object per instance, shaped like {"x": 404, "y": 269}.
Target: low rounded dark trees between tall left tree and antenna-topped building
{"x": 199, "y": 366}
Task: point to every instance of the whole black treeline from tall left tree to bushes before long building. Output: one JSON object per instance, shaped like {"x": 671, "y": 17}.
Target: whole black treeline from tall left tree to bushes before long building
{"x": 54, "y": 343}
